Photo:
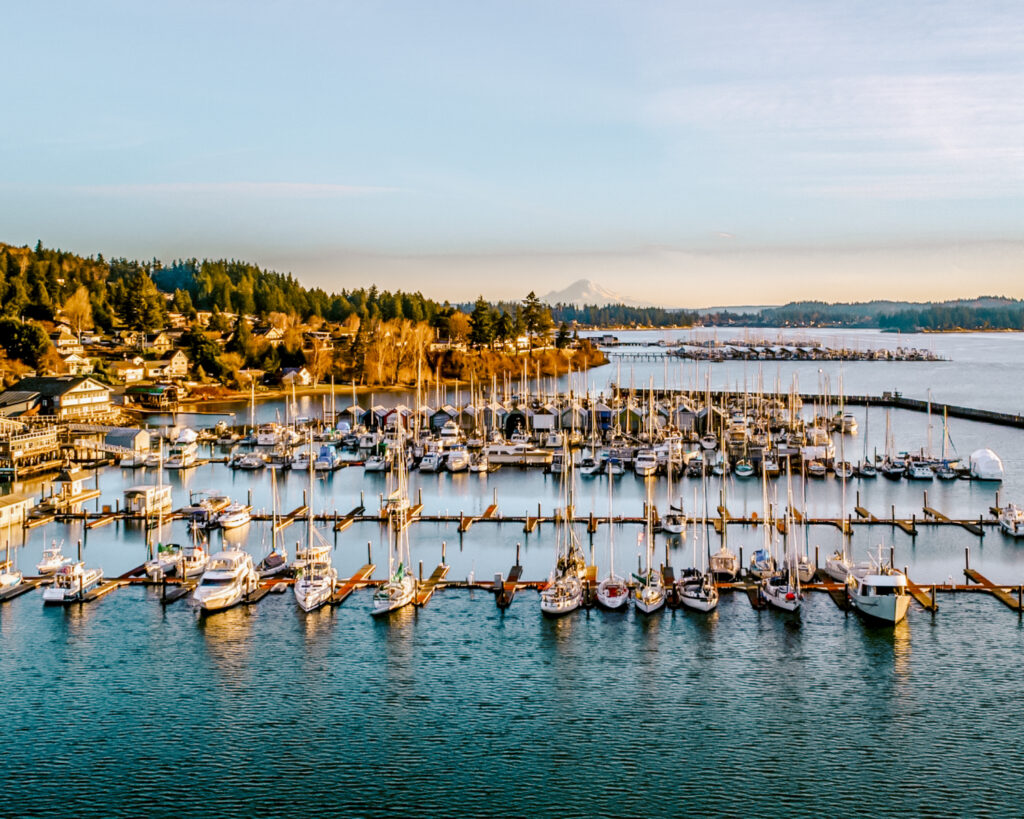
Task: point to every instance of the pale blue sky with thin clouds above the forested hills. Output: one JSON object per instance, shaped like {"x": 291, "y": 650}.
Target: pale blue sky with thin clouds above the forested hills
{"x": 685, "y": 154}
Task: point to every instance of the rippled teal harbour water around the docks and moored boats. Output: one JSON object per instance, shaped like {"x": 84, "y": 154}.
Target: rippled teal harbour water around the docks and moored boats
{"x": 125, "y": 708}
